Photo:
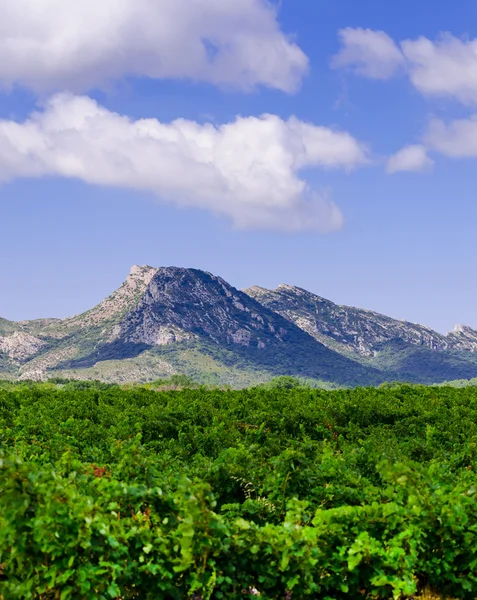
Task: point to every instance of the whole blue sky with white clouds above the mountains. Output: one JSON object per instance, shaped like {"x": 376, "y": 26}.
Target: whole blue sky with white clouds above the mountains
{"x": 328, "y": 145}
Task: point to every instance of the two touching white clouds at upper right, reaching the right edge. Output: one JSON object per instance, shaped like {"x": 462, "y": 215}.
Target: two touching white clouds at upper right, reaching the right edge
{"x": 444, "y": 67}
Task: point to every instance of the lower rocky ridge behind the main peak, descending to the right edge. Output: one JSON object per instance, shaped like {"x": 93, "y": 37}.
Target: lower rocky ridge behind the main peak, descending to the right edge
{"x": 399, "y": 349}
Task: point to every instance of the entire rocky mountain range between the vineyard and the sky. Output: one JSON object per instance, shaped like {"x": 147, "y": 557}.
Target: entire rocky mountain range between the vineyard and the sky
{"x": 175, "y": 320}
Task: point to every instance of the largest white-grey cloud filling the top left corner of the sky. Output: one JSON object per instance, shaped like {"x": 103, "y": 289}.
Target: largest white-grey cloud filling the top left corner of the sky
{"x": 57, "y": 45}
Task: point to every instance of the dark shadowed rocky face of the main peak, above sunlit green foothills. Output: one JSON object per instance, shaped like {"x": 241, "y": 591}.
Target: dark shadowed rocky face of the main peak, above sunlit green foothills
{"x": 188, "y": 308}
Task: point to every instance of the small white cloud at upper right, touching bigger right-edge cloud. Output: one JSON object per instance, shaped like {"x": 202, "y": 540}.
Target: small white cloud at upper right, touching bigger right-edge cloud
{"x": 369, "y": 53}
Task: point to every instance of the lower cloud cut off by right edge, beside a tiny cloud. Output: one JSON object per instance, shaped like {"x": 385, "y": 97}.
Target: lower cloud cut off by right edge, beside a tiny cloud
{"x": 457, "y": 139}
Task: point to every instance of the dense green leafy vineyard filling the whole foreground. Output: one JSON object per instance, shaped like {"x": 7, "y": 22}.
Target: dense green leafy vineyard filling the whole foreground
{"x": 284, "y": 492}
